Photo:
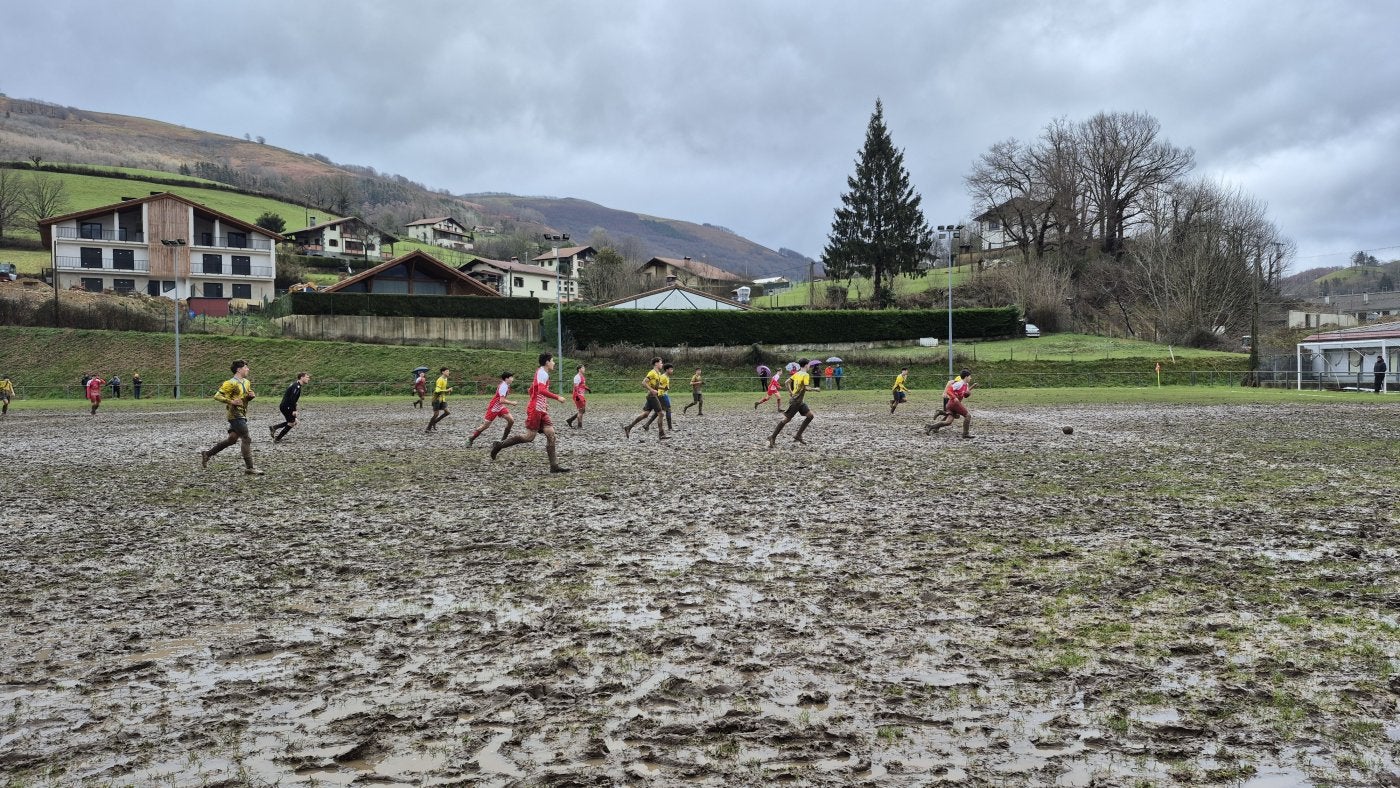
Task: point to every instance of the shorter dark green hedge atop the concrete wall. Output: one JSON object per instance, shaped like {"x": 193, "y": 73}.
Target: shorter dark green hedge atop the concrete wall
{"x": 398, "y": 306}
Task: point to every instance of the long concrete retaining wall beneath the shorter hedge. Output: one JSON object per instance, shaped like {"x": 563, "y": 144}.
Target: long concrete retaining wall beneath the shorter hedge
{"x": 411, "y": 331}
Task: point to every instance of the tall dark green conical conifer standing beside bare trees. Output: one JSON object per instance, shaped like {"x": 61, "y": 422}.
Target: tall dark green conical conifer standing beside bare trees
{"x": 880, "y": 230}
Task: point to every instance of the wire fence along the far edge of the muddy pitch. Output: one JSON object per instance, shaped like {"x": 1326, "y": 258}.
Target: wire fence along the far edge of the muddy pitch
{"x": 750, "y": 384}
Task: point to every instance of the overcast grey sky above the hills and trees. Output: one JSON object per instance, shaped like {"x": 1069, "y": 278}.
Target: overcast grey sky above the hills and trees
{"x": 750, "y": 114}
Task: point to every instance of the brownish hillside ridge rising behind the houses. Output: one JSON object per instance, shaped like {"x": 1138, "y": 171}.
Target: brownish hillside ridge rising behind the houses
{"x": 52, "y": 134}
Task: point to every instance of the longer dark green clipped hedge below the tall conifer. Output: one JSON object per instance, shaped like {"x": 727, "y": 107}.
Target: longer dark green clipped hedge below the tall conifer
{"x": 759, "y": 327}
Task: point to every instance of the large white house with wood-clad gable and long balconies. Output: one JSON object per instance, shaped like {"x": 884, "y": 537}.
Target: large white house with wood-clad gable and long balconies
{"x": 163, "y": 246}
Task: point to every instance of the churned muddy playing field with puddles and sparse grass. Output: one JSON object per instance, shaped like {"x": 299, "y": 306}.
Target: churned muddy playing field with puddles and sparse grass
{"x": 1168, "y": 597}
